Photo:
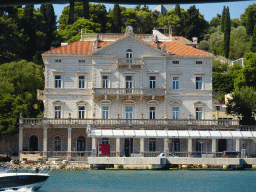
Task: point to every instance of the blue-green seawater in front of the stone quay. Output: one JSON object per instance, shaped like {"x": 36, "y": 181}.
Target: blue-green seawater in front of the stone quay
{"x": 149, "y": 180}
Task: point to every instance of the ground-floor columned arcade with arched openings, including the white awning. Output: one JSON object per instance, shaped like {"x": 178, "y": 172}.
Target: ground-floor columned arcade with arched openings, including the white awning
{"x": 77, "y": 142}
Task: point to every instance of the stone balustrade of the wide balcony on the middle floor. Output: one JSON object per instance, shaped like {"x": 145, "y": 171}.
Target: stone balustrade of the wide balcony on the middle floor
{"x": 128, "y": 91}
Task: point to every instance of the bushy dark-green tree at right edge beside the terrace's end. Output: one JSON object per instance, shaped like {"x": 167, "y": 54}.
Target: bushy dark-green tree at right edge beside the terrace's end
{"x": 243, "y": 102}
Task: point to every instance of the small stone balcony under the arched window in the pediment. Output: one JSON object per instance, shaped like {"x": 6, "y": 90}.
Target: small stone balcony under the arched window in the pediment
{"x": 124, "y": 62}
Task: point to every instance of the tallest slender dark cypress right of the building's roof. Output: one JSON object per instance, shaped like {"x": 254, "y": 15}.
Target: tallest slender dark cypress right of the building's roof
{"x": 227, "y": 30}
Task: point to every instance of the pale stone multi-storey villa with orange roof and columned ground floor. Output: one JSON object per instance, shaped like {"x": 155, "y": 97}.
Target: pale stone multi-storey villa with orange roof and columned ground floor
{"x": 124, "y": 82}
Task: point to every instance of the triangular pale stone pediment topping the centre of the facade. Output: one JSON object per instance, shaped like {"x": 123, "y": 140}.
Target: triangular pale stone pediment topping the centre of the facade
{"x": 119, "y": 47}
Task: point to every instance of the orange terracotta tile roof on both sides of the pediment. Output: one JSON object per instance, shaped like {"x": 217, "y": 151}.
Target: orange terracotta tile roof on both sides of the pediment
{"x": 85, "y": 47}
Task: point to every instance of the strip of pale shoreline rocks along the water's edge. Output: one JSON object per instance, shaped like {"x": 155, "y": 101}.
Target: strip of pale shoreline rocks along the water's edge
{"x": 65, "y": 165}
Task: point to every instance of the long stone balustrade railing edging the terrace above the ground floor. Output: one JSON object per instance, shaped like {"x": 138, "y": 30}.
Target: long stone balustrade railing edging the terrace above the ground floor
{"x": 159, "y": 122}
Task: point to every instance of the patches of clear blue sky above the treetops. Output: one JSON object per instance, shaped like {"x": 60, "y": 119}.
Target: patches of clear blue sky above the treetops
{"x": 209, "y": 10}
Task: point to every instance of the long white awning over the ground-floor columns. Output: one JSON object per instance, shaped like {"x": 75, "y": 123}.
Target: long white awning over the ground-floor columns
{"x": 116, "y": 133}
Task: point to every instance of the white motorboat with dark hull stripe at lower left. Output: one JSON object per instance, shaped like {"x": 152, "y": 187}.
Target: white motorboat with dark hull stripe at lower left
{"x": 16, "y": 180}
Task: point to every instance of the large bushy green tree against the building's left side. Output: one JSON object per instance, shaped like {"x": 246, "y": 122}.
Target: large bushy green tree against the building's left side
{"x": 19, "y": 82}
